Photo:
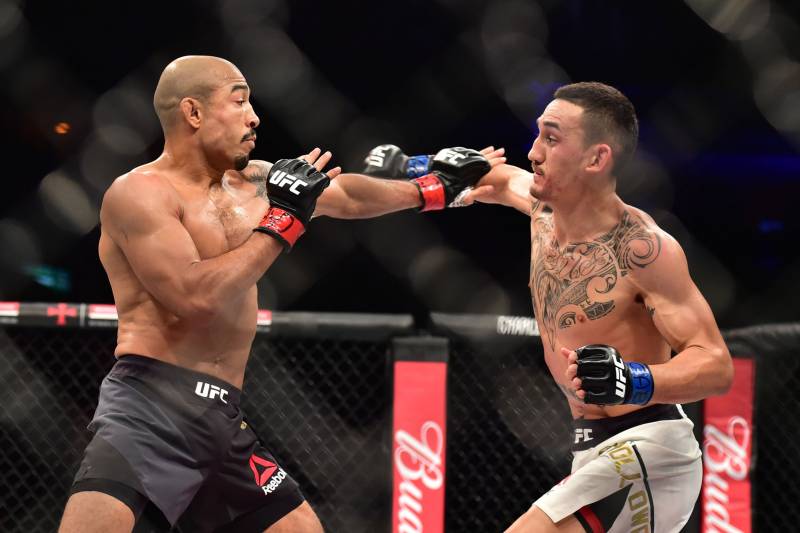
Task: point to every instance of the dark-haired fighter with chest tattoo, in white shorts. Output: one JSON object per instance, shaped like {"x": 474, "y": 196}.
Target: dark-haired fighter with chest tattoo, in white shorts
{"x": 613, "y": 297}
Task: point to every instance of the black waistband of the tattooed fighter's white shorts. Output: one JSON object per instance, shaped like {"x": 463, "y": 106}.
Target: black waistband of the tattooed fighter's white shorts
{"x": 589, "y": 433}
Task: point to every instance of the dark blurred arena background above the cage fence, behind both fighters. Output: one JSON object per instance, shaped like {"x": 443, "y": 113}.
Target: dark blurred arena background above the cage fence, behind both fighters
{"x": 716, "y": 86}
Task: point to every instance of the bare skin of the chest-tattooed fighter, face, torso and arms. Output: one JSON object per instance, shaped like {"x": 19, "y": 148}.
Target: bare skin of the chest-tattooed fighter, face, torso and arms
{"x": 603, "y": 272}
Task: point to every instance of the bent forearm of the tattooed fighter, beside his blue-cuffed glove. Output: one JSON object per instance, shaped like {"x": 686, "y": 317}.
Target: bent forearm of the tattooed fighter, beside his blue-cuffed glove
{"x": 693, "y": 374}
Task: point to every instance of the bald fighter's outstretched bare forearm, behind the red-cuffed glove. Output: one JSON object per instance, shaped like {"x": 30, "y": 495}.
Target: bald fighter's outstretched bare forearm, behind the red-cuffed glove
{"x": 359, "y": 196}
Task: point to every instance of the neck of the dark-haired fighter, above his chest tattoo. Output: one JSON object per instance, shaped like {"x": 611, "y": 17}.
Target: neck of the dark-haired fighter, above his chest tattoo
{"x": 590, "y": 216}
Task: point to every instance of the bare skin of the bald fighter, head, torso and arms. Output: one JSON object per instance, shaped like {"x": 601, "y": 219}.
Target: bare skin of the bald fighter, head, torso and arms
{"x": 176, "y": 233}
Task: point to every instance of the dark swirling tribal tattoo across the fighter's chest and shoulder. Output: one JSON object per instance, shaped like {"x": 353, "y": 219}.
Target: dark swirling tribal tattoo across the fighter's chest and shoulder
{"x": 578, "y": 278}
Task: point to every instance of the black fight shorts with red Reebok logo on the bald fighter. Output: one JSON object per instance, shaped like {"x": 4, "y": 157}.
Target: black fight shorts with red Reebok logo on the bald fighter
{"x": 176, "y": 439}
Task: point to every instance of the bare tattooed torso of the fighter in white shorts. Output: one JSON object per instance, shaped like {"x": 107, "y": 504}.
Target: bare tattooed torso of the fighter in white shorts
{"x": 586, "y": 293}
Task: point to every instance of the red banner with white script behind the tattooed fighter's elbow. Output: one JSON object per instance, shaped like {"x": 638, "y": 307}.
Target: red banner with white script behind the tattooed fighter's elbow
{"x": 727, "y": 453}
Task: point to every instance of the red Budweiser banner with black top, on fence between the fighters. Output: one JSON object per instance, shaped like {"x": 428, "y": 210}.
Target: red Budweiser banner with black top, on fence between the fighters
{"x": 418, "y": 448}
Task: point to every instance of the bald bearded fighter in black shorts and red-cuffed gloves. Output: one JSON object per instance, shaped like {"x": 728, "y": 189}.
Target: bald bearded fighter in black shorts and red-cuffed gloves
{"x": 183, "y": 240}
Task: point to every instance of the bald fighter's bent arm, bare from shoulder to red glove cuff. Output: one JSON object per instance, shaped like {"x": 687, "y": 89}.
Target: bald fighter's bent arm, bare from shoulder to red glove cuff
{"x": 141, "y": 213}
